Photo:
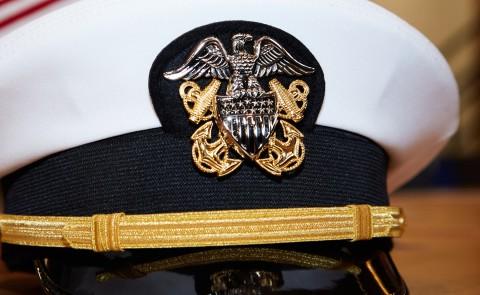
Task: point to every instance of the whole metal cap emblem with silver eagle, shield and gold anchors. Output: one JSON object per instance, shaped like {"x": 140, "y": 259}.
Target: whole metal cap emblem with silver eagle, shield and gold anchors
{"x": 247, "y": 115}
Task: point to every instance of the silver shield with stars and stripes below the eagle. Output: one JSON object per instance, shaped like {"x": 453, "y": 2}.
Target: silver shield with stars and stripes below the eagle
{"x": 248, "y": 121}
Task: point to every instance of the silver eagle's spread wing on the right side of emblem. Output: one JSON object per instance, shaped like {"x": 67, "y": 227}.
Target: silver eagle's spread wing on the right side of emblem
{"x": 273, "y": 59}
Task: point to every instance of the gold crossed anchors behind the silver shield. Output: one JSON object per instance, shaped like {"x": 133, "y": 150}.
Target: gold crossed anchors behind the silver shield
{"x": 276, "y": 157}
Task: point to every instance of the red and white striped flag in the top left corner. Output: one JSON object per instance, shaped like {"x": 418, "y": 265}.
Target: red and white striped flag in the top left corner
{"x": 16, "y": 12}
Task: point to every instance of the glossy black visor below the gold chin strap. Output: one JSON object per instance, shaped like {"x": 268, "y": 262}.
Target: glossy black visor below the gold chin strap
{"x": 308, "y": 268}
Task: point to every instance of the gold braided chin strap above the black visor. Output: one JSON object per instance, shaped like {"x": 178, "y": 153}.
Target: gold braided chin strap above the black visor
{"x": 118, "y": 231}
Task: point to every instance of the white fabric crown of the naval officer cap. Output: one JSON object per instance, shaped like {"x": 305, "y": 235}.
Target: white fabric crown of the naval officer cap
{"x": 80, "y": 74}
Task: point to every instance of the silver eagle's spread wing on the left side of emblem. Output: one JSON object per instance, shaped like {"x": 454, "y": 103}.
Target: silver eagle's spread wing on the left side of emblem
{"x": 208, "y": 59}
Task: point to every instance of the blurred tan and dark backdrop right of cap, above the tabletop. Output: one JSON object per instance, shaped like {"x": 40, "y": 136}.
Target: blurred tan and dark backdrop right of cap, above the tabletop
{"x": 454, "y": 27}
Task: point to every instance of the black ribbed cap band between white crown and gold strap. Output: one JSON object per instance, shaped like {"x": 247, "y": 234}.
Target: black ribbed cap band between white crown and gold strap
{"x": 152, "y": 172}
